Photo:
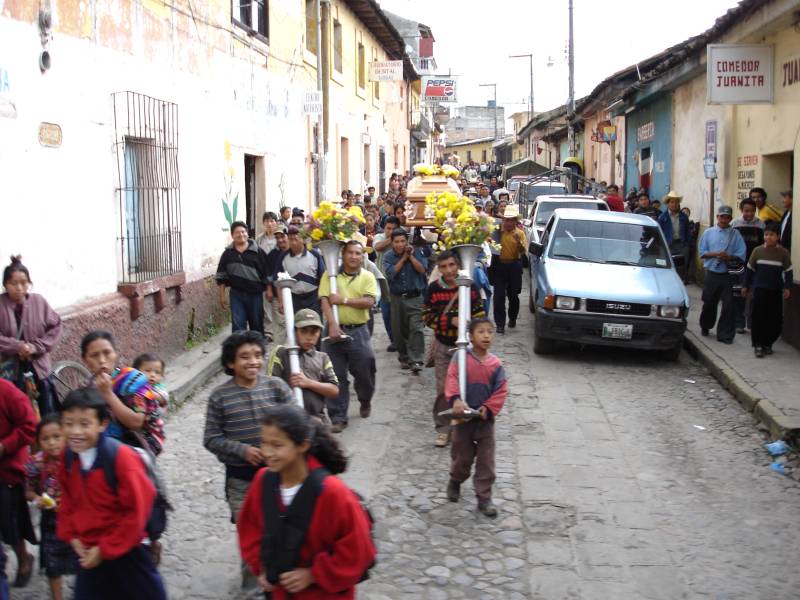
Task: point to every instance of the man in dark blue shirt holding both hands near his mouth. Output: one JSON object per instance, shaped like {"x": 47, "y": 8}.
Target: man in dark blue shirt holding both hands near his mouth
{"x": 405, "y": 270}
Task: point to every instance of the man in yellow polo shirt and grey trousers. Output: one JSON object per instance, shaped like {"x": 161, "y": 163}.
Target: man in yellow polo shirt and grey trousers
{"x": 357, "y": 290}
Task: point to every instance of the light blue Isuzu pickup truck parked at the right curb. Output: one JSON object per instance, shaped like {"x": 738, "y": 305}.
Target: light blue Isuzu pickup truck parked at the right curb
{"x": 606, "y": 278}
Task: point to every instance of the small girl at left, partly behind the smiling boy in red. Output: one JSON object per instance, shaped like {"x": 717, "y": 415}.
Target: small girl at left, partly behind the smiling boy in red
{"x": 56, "y": 557}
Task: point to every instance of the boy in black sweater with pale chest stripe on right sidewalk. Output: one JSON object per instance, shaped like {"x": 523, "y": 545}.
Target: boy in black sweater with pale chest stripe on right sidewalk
{"x": 769, "y": 274}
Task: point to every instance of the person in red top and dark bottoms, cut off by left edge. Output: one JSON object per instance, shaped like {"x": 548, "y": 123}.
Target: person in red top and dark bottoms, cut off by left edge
{"x": 17, "y": 430}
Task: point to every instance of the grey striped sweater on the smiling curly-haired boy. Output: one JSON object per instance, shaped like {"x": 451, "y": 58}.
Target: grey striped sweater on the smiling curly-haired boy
{"x": 233, "y": 417}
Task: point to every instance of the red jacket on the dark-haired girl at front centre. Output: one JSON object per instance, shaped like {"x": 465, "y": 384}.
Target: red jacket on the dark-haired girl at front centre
{"x": 338, "y": 546}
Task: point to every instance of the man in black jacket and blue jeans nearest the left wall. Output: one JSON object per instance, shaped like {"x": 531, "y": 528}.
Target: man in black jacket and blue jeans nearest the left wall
{"x": 243, "y": 268}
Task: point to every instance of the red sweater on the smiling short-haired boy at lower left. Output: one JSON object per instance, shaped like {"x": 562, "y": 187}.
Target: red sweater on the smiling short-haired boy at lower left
{"x": 93, "y": 513}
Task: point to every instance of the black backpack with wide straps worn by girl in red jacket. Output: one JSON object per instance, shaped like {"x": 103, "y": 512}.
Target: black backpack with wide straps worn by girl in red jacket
{"x": 285, "y": 532}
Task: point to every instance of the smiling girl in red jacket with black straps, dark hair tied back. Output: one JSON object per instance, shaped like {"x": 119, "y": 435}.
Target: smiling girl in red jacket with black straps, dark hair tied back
{"x": 302, "y": 531}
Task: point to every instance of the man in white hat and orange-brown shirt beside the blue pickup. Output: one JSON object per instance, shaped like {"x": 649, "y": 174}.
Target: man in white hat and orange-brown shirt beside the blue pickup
{"x": 505, "y": 272}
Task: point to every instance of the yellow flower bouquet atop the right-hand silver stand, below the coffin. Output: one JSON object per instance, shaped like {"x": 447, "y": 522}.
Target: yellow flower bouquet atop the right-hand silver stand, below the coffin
{"x": 457, "y": 221}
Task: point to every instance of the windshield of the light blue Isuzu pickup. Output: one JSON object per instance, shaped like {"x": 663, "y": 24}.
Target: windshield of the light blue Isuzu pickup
{"x": 610, "y": 243}
